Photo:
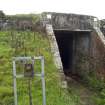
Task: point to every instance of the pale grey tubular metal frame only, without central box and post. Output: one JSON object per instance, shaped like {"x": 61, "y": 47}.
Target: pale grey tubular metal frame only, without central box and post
{"x": 15, "y": 76}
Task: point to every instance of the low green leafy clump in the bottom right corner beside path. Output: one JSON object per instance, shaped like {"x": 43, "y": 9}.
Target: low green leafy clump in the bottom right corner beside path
{"x": 98, "y": 86}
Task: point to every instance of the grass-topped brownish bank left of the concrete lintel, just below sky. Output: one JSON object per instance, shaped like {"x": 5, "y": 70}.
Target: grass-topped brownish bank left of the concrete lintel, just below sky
{"x": 20, "y": 22}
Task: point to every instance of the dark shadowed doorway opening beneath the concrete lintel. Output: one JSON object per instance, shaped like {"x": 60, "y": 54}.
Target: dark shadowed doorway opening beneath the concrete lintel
{"x": 70, "y": 44}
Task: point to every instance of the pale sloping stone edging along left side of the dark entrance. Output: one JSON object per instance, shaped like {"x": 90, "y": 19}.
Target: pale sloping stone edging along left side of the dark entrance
{"x": 55, "y": 52}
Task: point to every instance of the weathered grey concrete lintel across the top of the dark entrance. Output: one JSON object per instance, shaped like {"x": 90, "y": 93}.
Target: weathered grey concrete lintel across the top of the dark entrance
{"x": 71, "y": 21}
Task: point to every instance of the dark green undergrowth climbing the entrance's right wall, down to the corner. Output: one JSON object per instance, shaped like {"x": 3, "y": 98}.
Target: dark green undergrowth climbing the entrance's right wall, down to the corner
{"x": 91, "y": 80}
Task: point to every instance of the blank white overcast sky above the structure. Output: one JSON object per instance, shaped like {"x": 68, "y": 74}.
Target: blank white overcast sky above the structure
{"x": 87, "y": 7}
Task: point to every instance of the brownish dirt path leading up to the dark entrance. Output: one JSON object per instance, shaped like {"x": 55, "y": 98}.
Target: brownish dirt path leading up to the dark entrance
{"x": 84, "y": 94}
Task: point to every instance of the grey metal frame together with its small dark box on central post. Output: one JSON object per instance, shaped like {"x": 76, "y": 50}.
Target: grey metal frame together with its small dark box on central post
{"x": 28, "y": 73}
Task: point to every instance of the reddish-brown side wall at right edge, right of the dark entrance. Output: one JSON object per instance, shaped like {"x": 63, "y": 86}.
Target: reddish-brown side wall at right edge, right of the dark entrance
{"x": 97, "y": 58}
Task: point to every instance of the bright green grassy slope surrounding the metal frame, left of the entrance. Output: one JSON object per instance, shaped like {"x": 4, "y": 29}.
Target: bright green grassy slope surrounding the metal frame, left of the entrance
{"x": 19, "y": 43}
